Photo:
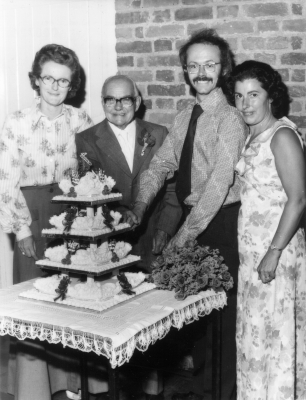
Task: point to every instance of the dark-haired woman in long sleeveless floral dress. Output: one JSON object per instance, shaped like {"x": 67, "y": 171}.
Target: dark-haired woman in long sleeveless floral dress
{"x": 271, "y": 318}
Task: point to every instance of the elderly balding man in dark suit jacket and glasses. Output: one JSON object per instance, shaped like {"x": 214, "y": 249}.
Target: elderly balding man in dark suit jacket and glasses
{"x": 123, "y": 146}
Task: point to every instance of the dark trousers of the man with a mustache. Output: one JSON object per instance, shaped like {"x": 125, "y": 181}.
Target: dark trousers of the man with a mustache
{"x": 220, "y": 234}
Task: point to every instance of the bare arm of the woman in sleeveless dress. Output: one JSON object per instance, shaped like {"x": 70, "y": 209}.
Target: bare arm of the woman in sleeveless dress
{"x": 290, "y": 165}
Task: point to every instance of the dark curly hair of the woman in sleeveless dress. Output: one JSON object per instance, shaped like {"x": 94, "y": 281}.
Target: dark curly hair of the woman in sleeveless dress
{"x": 271, "y": 82}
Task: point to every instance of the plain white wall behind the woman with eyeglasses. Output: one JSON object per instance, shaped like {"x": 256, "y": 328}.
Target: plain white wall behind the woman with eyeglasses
{"x": 85, "y": 26}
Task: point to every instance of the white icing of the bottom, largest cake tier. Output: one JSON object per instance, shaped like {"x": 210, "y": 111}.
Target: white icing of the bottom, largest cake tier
{"x": 97, "y": 296}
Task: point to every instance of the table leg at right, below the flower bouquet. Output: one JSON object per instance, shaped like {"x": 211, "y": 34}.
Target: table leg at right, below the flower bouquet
{"x": 216, "y": 354}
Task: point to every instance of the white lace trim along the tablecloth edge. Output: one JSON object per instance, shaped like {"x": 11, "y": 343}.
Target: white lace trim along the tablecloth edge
{"x": 102, "y": 345}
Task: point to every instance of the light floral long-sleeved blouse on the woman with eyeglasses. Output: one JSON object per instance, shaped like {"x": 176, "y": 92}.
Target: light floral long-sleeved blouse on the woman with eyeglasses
{"x": 34, "y": 151}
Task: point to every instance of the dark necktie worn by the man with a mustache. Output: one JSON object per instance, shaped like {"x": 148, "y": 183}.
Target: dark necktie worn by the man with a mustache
{"x": 183, "y": 183}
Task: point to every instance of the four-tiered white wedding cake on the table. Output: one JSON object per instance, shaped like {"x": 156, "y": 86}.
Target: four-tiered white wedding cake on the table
{"x": 85, "y": 224}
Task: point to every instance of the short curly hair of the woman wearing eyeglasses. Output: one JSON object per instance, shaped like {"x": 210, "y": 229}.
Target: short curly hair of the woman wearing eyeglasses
{"x": 61, "y": 55}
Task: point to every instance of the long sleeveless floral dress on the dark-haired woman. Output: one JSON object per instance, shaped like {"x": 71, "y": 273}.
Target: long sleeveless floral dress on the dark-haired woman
{"x": 271, "y": 318}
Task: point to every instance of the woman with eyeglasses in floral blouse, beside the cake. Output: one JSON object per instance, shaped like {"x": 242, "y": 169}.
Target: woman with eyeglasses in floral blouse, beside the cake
{"x": 37, "y": 148}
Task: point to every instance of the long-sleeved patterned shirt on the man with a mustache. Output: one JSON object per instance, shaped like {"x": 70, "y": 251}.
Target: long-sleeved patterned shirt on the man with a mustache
{"x": 219, "y": 139}
